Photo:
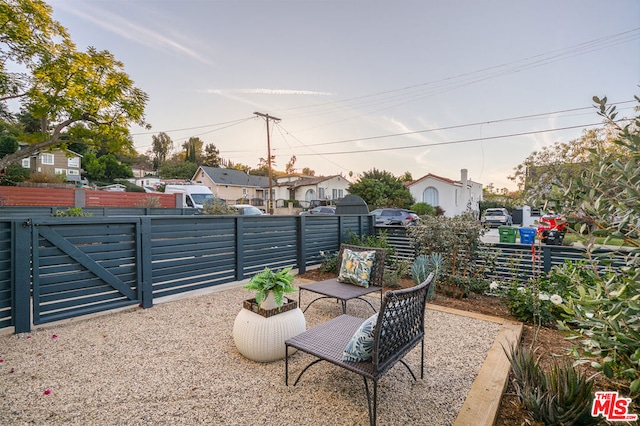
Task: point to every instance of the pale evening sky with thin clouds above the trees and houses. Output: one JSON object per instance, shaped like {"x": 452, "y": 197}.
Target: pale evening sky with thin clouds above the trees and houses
{"x": 419, "y": 86}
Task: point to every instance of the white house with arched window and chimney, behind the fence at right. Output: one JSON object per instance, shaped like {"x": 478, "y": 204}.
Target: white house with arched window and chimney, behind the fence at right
{"x": 453, "y": 196}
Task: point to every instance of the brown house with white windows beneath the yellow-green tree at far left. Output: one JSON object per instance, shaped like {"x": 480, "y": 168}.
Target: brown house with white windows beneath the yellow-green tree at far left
{"x": 55, "y": 162}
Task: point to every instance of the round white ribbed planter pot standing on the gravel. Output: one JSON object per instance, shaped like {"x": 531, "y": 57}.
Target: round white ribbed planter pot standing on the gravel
{"x": 262, "y": 339}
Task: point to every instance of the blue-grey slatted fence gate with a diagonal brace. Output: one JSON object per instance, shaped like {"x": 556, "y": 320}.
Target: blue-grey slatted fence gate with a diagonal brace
{"x": 84, "y": 266}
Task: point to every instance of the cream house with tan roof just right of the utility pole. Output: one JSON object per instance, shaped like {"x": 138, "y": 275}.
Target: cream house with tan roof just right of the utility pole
{"x": 310, "y": 190}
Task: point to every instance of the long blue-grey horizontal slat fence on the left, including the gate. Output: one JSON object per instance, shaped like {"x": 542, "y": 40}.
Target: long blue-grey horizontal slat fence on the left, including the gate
{"x": 71, "y": 266}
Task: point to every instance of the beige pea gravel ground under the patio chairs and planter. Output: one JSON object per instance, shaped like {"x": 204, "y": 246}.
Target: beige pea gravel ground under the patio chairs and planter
{"x": 176, "y": 363}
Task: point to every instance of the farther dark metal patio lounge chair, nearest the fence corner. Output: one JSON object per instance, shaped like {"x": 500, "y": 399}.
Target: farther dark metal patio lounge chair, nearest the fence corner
{"x": 333, "y": 289}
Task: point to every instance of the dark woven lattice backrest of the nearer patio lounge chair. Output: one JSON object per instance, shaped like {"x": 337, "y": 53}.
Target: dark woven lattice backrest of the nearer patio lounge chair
{"x": 400, "y": 325}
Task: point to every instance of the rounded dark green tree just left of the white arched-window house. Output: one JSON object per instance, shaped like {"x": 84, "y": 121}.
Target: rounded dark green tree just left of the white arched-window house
{"x": 382, "y": 189}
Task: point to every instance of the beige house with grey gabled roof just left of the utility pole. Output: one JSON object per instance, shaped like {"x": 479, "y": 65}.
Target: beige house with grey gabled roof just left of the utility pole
{"x": 233, "y": 185}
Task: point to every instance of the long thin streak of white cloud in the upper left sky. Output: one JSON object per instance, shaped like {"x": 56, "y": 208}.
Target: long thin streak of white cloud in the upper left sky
{"x": 129, "y": 30}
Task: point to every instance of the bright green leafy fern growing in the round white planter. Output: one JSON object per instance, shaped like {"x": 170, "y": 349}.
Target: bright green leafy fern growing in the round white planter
{"x": 271, "y": 286}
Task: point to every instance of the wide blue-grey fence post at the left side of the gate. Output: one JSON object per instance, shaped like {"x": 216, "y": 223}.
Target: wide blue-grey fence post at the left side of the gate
{"x": 21, "y": 267}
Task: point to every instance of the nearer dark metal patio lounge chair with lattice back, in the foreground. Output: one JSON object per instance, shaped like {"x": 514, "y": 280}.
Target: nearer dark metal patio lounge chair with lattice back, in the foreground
{"x": 399, "y": 328}
